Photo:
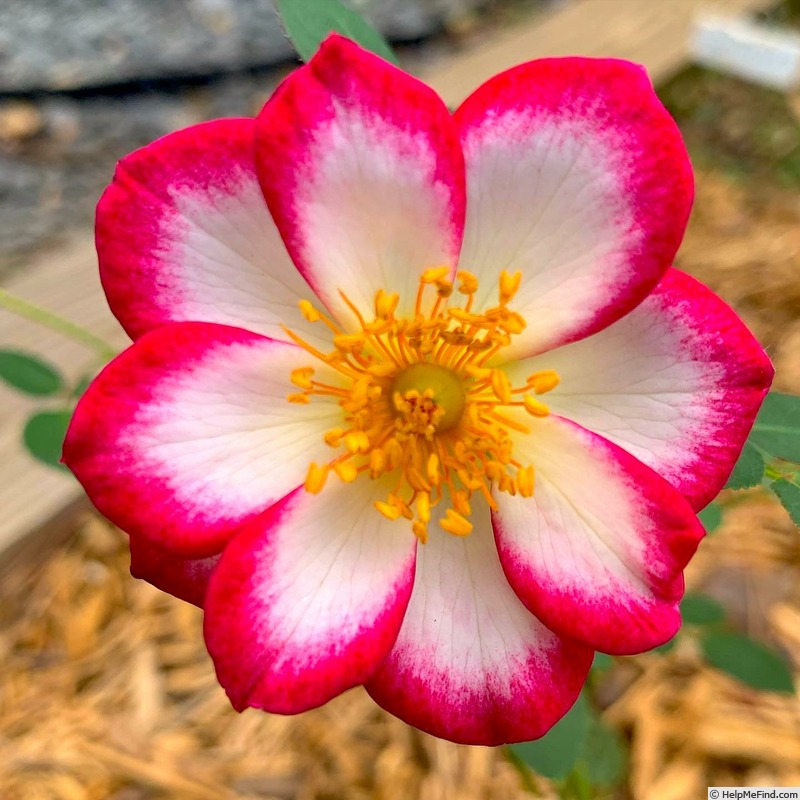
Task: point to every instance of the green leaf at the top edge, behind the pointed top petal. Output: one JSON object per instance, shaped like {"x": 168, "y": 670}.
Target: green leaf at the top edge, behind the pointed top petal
{"x": 308, "y": 23}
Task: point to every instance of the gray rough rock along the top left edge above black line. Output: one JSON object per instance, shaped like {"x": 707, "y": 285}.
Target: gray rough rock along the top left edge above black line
{"x": 74, "y": 44}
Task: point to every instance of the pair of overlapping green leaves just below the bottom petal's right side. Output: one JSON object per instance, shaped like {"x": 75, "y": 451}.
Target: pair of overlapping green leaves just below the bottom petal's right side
{"x": 579, "y": 750}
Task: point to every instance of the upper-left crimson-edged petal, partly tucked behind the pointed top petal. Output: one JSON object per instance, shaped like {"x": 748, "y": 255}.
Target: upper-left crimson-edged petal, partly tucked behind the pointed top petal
{"x": 184, "y": 233}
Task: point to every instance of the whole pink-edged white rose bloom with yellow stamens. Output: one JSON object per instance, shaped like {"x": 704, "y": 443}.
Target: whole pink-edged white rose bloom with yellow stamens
{"x": 415, "y": 399}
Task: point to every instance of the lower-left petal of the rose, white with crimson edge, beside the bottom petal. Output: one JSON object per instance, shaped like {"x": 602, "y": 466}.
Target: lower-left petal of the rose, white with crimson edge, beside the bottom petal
{"x": 308, "y": 599}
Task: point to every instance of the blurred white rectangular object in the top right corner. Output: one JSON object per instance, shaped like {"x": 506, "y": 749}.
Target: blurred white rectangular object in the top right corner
{"x": 752, "y": 51}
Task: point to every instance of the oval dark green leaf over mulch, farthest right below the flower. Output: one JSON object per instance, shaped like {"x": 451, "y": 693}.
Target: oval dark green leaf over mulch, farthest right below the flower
{"x": 748, "y": 661}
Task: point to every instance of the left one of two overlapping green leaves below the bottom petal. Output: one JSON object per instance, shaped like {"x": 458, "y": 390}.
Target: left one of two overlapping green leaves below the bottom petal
{"x": 556, "y": 753}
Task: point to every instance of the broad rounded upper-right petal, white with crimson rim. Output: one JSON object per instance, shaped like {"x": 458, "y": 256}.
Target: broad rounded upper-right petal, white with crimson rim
{"x": 578, "y": 177}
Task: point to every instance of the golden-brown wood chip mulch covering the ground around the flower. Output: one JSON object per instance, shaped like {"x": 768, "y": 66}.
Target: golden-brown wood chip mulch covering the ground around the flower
{"x": 106, "y": 690}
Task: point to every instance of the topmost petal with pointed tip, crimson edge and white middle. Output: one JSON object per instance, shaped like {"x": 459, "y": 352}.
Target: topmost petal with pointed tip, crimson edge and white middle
{"x": 363, "y": 172}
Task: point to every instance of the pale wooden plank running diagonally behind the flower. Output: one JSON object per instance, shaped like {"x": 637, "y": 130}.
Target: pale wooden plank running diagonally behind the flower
{"x": 652, "y": 32}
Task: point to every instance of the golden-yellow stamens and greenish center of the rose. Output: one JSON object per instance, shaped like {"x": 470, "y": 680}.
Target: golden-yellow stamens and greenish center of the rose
{"x": 421, "y": 403}
